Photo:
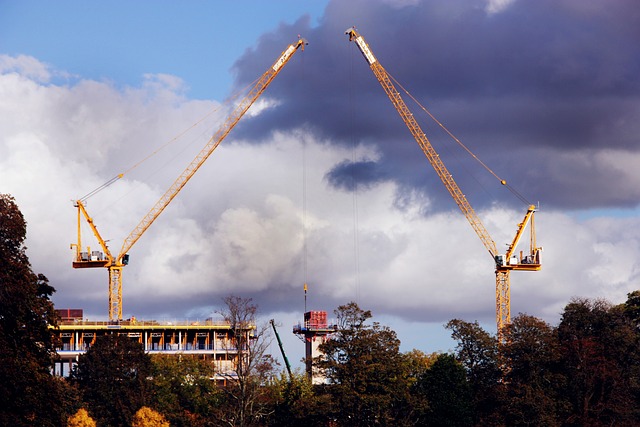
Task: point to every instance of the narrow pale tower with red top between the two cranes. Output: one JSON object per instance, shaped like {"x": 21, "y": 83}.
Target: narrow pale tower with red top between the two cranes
{"x": 314, "y": 331}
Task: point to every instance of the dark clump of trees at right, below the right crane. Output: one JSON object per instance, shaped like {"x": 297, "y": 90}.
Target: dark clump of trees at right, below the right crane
{"x": 584, "y": 372}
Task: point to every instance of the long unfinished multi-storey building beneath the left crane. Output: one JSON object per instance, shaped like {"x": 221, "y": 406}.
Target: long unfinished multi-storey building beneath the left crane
{"x": 207, "y": 339}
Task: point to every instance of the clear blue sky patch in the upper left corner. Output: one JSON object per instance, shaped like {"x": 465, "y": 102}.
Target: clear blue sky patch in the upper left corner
{"x": 122, "y": 40}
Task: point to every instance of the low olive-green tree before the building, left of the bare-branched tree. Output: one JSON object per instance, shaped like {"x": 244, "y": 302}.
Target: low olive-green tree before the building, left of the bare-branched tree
{"x": 183, "y": 389}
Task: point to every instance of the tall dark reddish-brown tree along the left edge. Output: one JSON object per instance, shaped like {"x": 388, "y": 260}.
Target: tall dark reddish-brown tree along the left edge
{"x": 30, "y": 395}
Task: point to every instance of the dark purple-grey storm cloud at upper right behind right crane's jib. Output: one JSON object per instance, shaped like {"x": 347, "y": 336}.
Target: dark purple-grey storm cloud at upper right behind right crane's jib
{"x": 537, "y": 91}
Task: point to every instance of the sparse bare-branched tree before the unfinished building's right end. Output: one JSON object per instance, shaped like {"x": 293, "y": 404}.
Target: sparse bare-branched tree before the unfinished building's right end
{"x": 251, "y": 366}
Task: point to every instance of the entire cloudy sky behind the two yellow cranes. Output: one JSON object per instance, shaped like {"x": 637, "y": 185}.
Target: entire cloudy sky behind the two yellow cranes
{"x": 321, "y": 182}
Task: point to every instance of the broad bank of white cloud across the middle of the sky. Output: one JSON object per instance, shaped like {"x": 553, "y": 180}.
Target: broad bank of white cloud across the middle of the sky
{"x": 238, "y": 225}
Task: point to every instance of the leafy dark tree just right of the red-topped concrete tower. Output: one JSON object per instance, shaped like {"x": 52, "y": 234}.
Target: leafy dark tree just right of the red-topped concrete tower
{"x": 364, "y": 370}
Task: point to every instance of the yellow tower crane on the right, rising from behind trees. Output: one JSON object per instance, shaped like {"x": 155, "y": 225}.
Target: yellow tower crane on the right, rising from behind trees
{"x": 504, "y": 263}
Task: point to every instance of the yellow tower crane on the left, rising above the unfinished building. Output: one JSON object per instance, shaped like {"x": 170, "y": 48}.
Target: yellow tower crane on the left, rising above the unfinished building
{"x": 85, "y": 258}
